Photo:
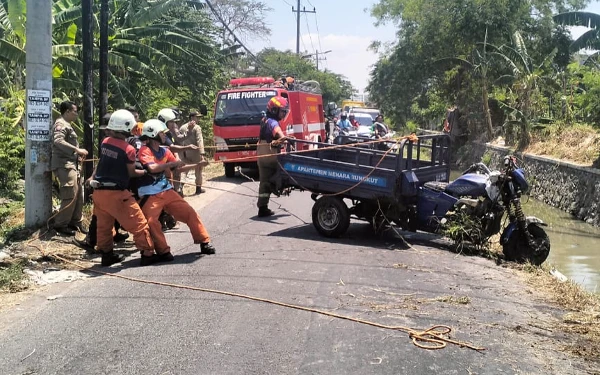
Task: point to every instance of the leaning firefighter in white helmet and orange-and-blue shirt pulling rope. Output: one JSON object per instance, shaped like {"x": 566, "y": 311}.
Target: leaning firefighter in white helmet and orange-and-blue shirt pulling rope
{"x": 157, "y": 193}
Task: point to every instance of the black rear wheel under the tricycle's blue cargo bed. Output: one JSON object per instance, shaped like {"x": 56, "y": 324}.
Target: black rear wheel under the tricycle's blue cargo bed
{"x": 331, "y": 216}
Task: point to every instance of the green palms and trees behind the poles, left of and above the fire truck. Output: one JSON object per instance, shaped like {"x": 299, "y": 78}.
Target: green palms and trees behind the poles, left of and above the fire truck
{"x": 162, "y": 53}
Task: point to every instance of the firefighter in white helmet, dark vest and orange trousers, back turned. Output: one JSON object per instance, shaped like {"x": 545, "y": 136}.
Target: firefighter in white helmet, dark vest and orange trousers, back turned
{"x": 112, "y": 200}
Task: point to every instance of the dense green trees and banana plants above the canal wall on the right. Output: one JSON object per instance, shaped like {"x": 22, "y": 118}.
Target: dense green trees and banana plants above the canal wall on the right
{"x": 509, "y": 66}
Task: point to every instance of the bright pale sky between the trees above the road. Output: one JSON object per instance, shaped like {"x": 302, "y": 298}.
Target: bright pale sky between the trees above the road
{"x": 343, "y": 26}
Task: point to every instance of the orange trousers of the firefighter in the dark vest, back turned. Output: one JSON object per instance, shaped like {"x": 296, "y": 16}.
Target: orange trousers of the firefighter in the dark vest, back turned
{"x": 111, "y": 205}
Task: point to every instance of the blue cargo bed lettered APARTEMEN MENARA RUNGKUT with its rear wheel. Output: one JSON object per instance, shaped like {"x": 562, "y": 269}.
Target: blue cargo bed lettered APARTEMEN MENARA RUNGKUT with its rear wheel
{"x": 380, "y": 184}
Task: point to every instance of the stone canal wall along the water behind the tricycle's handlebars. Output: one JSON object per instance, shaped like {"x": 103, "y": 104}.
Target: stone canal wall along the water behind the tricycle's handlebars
{"x": 570, "y": 187}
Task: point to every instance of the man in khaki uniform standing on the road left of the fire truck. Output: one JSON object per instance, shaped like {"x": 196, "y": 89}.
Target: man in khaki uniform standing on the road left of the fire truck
{"x": 192, "y": 135}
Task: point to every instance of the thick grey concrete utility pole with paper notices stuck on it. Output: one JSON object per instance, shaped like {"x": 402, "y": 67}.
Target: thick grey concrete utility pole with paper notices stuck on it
{"x": 38, "y": 113}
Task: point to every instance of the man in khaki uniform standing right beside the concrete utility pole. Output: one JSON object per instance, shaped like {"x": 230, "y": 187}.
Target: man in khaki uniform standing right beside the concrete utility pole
{"x": 65, "y": 161}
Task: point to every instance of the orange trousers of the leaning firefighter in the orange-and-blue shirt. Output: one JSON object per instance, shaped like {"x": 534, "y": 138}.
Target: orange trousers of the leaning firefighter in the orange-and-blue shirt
{"x": 175, "y": 205}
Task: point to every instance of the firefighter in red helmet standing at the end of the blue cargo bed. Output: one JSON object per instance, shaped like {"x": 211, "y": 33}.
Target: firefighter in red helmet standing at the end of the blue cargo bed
{"x": 277, "y": 110}
